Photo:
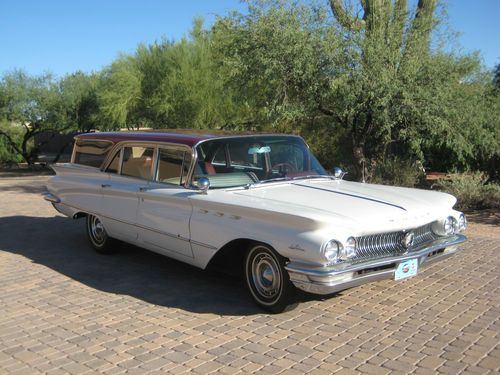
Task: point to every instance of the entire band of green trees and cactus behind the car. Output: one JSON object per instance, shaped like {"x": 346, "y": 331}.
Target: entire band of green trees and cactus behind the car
{"x": 363, "y": 84}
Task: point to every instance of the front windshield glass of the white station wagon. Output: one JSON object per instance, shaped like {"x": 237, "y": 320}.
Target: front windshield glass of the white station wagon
{"x": 239, "y": 161}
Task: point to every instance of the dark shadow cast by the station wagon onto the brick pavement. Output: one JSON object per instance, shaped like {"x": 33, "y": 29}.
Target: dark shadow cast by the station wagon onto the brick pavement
{"x": 60, "y": 244}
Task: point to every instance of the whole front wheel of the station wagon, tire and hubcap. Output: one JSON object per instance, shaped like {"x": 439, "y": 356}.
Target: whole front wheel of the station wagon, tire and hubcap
{"x": 267, "y": 280}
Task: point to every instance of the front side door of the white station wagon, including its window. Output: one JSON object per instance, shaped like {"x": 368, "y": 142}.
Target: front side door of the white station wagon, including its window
{"x": 164, "y": 208}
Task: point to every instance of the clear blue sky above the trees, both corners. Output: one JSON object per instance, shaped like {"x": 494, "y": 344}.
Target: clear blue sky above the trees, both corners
{"x": 64, "y": 36}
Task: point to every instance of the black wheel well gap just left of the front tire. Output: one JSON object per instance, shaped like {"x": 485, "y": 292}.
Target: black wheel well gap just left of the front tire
{"x": 229, "y": 259}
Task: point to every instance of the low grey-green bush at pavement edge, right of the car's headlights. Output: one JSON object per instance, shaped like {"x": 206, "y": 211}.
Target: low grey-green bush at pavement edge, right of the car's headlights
{"x": 472, "y": 191}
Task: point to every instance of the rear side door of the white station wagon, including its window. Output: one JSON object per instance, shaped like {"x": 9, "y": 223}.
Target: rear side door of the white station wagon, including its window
{"x": 128, "y": 174}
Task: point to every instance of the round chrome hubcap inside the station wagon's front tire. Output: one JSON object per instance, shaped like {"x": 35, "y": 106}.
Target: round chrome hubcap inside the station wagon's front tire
{"x": 266, "y": 276}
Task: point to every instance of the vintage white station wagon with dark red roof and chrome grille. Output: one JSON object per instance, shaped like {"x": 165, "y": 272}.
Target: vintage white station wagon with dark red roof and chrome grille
{"x": 261, "y": 204}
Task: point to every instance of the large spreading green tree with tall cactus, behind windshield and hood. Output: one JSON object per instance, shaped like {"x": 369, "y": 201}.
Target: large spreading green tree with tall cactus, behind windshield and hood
{"x": 366, "y": 82}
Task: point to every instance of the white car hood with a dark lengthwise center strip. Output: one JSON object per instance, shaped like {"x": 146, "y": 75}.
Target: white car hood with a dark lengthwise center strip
{"x": 350, "y": 203}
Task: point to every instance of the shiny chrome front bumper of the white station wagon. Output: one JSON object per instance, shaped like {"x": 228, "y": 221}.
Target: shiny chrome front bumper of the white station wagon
{"x": 328, "y": 280}
